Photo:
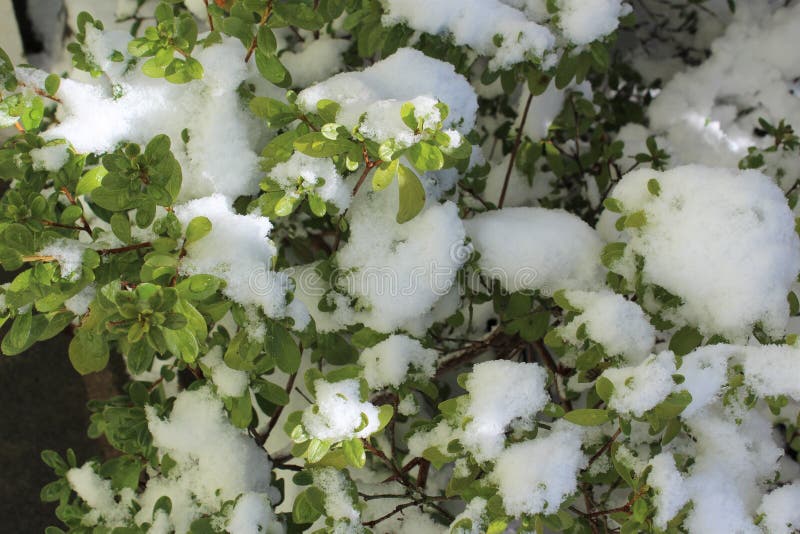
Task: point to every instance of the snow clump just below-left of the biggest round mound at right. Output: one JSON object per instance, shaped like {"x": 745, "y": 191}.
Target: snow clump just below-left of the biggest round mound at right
{"x": 619, "y": 325}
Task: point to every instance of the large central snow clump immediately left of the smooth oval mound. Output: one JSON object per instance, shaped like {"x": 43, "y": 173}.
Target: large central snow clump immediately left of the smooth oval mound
{"x": 398, "y": 272}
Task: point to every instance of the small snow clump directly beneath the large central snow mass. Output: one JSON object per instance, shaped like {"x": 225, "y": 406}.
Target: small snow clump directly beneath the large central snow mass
{"x": 393, "y": 360}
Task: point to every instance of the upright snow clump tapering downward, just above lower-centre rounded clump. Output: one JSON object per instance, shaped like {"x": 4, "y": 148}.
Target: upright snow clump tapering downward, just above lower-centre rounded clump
{"x": 501, "y": 393}
